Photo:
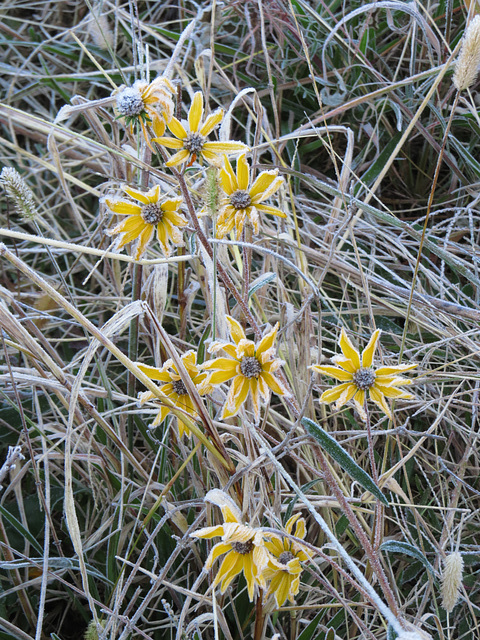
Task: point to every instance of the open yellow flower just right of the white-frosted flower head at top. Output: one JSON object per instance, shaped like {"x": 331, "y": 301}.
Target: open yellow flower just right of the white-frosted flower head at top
{"x": 193, "y": 144}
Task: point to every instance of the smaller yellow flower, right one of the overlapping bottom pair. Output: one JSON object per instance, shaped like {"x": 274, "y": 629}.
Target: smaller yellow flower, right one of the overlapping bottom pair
{"x": 283, "y": 569}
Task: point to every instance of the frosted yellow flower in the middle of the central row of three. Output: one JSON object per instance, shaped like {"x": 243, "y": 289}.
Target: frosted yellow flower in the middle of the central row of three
{"x": 251, "y": 366}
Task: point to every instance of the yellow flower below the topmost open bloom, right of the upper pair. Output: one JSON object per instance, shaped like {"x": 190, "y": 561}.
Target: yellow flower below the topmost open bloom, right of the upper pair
{"x": 244, "y": 202}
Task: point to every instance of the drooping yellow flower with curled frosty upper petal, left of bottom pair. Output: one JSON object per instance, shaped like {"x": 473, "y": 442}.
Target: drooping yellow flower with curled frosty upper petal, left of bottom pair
{"x": 242, "y": 544}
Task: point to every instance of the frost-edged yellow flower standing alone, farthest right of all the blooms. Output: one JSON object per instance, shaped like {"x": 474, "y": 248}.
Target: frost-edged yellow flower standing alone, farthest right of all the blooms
{"x": 358, "y": 377}
